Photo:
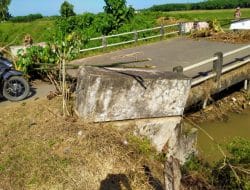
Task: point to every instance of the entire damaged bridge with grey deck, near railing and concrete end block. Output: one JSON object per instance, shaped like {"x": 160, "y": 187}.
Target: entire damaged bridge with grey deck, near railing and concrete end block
{"x": 149, "y": 96}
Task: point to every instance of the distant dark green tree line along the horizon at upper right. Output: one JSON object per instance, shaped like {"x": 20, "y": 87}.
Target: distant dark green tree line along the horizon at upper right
{"x": 204, "y": 5}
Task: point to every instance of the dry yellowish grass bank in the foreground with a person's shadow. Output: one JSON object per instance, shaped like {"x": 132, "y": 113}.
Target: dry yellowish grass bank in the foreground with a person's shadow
{"x": 41, "y": 150}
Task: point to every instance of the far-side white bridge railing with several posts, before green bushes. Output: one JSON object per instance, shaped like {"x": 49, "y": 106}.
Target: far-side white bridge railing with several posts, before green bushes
{"x": 135, "y": 34}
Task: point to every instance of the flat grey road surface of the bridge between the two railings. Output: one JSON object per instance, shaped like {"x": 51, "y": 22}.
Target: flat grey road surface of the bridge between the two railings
{"x": 165, "y": 55}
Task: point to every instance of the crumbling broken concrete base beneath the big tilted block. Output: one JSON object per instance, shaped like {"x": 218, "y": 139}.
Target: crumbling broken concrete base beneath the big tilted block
{"x": 165, "y": 134}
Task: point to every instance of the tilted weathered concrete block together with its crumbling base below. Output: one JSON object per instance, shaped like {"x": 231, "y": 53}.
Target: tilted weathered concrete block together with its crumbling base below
{"x": 152, "y": 101}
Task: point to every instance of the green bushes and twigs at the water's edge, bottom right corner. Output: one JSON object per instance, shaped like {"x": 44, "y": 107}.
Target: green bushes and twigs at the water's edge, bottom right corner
{"x": 230, "y": 173}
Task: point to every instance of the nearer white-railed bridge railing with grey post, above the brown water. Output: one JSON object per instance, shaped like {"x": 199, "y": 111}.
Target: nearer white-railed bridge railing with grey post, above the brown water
{"x": 218, "y": 68}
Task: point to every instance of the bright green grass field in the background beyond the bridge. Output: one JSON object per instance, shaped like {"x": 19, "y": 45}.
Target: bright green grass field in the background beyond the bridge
{"x": 41, "y": 30}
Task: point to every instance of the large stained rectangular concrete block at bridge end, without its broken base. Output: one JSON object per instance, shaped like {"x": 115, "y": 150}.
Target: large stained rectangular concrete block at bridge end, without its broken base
{"x": 105, "y": 94}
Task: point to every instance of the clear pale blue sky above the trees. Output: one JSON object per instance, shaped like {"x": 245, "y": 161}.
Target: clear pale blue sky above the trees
{"x": 51, "y": 7}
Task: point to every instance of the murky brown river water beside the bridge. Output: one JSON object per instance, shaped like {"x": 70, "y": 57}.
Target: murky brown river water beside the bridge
{"x": 238, "y": 125}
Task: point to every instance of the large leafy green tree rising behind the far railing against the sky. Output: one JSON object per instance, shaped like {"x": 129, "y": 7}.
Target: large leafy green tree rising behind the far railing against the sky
{"x": 118, "y": 10}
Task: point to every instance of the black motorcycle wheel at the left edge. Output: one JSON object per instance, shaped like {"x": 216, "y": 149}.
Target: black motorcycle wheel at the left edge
{"x": 16, "y": 88}
